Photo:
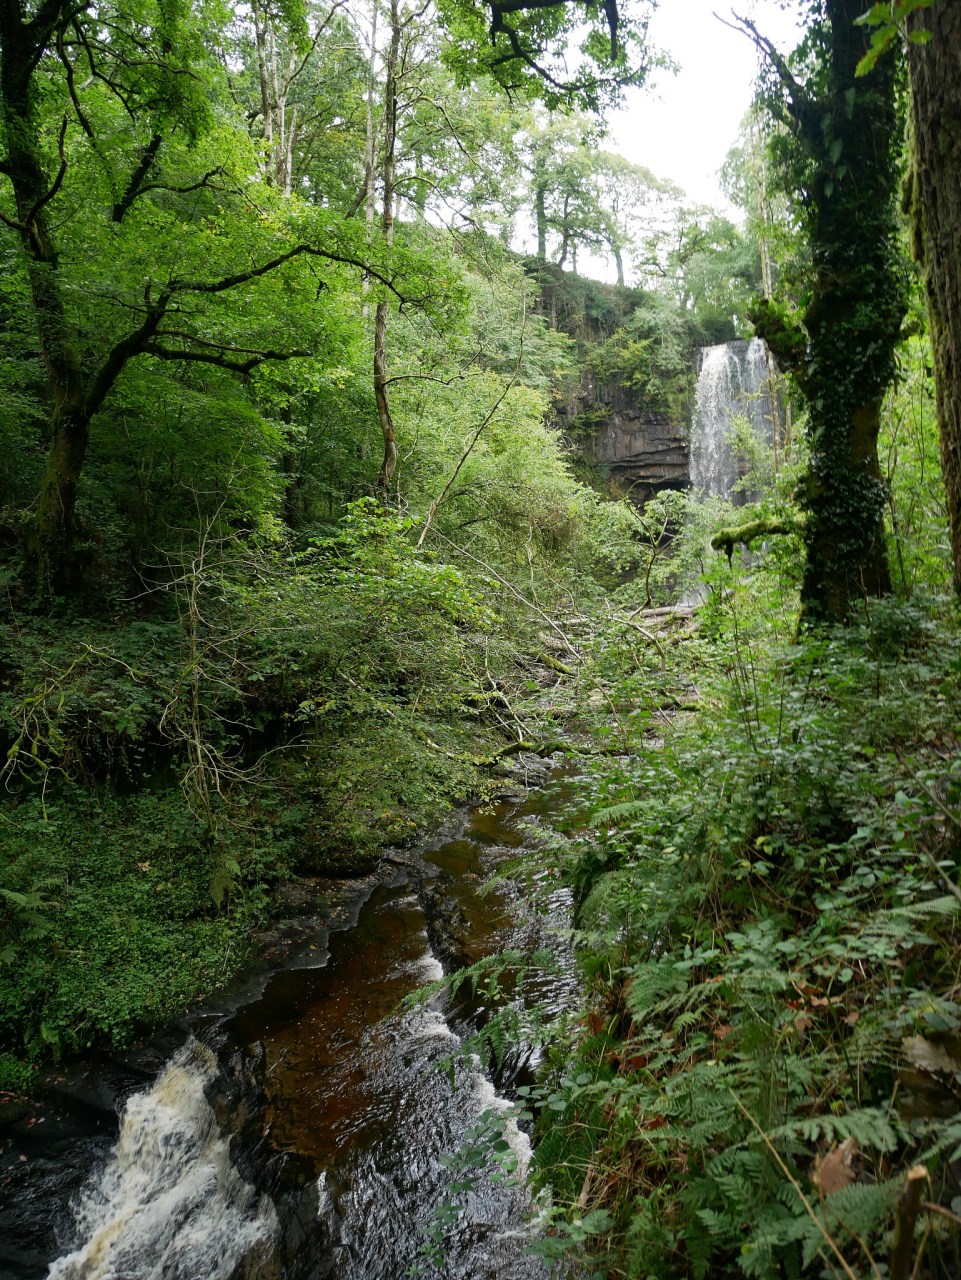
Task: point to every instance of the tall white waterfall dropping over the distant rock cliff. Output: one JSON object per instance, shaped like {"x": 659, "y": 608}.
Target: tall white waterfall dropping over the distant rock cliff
{"x": 733, "y": 382}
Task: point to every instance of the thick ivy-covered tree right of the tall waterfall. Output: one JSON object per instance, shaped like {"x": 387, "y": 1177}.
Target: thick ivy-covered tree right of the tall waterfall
{"x": 841, "y": 164}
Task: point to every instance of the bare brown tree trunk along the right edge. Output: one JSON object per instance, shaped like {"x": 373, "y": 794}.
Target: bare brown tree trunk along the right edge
{"x": 936, "y": 98}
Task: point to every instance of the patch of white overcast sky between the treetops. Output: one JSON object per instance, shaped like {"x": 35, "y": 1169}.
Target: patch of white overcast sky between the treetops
{"x": 684, "y": 126}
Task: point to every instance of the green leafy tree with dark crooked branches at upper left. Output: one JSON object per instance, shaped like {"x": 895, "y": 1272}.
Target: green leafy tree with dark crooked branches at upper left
{"x": 112, "y": 112}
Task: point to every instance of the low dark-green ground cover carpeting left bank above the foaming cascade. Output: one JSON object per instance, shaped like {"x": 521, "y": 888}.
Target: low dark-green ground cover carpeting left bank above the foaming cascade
{"x": 109, "y": 931}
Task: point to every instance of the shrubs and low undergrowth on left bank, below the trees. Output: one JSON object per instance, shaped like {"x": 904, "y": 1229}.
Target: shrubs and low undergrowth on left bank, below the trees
{"x": 258, "y": 714}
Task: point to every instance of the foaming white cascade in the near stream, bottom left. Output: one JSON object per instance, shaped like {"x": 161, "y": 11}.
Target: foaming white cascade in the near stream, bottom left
{"x": 170, "y": 1204}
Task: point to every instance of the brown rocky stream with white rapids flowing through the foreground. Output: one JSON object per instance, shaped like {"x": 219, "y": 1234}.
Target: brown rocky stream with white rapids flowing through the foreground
{"x": 303, "y": 1130}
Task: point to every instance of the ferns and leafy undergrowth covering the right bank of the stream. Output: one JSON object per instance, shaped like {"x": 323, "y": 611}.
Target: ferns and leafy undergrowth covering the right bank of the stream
{"x": 767, "y": 918}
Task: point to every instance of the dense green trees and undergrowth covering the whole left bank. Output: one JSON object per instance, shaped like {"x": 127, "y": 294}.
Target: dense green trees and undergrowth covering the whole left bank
{"x": 245, "y": 266}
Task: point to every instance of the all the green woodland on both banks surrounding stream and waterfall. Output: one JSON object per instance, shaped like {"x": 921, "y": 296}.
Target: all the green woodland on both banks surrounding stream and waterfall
{"x": 303, "y": 541}
